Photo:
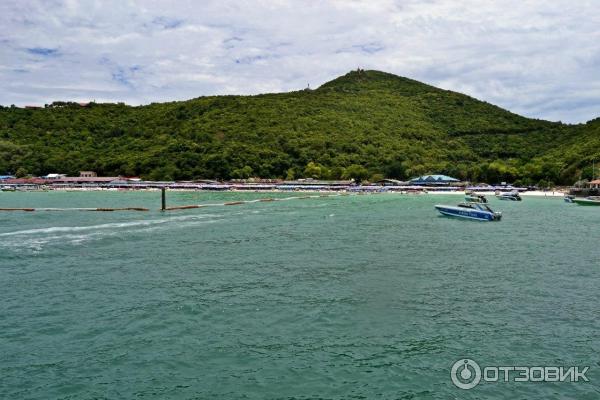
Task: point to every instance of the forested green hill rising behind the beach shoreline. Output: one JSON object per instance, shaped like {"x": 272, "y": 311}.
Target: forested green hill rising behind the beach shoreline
{"x": 362, "y": 124}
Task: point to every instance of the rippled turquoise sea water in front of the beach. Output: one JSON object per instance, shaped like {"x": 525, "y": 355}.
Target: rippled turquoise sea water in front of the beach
{"x": 370, "y": 296}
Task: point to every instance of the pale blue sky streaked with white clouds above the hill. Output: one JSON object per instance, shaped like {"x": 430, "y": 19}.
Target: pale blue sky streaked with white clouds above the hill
{"x": 536, "y": 58}
